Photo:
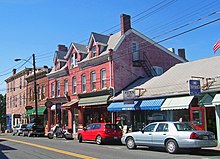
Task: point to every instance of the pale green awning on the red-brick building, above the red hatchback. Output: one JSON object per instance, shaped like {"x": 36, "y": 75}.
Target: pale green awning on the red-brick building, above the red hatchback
{"x": 95, "y": 100}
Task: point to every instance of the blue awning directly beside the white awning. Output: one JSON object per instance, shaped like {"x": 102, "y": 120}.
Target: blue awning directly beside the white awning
{"x": 152, "y": 104}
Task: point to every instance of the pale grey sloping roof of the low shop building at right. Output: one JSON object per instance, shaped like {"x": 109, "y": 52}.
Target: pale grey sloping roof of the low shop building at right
{"x": 175, "y": 80}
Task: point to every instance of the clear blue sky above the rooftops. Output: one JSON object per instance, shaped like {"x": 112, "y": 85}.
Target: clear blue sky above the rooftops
{"x": 38, "y": 26}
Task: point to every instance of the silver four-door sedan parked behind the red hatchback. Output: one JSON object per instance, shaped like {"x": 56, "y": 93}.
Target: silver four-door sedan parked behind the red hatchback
{"x": 170, "y": 135}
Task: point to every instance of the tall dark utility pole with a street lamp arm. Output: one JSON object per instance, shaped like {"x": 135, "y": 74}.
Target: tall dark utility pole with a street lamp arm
{"x": 35, "y": 85}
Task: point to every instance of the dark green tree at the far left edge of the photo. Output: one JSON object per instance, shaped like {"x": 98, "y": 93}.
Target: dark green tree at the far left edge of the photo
{"x": 2, "y": 111}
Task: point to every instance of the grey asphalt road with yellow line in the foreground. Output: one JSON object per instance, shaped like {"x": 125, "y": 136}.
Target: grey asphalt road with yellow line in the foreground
{"x": 18, "y": 147}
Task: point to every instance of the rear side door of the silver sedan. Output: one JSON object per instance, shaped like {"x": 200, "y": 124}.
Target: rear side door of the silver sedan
{"x": 159, "y": 135}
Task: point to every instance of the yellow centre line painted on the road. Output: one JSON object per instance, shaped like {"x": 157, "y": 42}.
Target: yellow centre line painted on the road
{"x": 51, "y": 149}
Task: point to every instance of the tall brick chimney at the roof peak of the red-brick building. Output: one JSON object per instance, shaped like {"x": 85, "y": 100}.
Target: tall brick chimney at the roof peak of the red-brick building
{"x": 125, "y": 23}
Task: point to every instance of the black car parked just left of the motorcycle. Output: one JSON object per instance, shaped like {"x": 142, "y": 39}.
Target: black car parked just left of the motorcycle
{"x": 33, "y": 130}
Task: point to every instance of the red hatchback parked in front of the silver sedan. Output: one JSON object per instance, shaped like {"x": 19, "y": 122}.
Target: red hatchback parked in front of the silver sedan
{"x": 100, "y": 133}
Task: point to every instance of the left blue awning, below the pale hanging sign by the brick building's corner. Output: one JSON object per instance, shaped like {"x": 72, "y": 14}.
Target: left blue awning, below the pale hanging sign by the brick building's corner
{"x": 119, "y": 106}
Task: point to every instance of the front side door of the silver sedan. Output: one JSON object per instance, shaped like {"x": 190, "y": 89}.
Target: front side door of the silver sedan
{"x": 145, "y": 136}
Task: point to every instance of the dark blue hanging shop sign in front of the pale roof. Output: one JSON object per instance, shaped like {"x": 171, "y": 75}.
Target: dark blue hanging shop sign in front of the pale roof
{"x": 194, "y": 87}
